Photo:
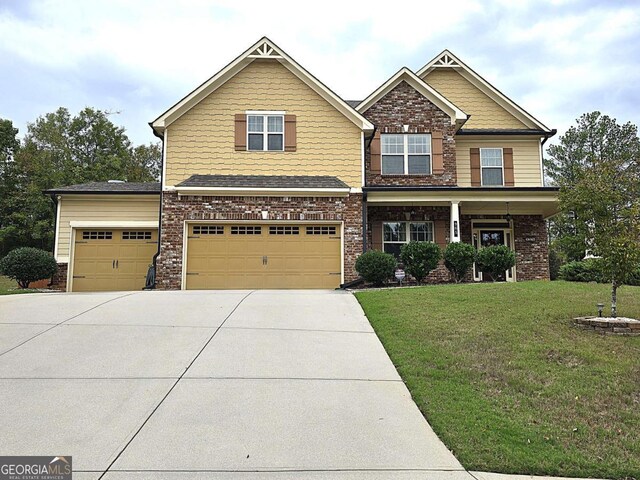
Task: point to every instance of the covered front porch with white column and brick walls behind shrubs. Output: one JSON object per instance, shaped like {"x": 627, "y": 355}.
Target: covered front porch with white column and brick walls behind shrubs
{"x": 481, "y": 216}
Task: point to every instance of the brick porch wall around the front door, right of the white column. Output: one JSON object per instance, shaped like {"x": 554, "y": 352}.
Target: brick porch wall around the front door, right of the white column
{"x": 530, "y": 241}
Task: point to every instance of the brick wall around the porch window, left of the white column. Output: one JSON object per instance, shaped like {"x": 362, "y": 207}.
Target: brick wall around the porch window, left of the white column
{"x": 423, "y": 213}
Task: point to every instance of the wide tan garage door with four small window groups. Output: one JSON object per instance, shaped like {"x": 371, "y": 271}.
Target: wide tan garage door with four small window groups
{"x": 252, "y": 256}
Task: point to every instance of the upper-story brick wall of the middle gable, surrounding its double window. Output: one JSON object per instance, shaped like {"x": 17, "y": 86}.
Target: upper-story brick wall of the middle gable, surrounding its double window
{"x": 405, "y": 106}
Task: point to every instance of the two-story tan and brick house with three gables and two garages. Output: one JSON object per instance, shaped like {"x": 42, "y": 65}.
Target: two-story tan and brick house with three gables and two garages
{"x": 270, "y": 180}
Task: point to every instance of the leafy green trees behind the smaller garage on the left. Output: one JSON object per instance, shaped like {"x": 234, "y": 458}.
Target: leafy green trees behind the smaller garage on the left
{"x": 59, "y": 149}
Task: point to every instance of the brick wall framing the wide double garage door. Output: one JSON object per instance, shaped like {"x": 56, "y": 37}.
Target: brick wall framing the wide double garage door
{"x": 176, "y": 210}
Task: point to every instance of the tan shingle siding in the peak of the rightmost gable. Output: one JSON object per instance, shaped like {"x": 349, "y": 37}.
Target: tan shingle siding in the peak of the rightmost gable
{"x": 485, "y": 113}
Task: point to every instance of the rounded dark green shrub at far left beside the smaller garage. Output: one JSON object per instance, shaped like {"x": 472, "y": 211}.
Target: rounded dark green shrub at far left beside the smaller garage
{"x": 26, "y": 265}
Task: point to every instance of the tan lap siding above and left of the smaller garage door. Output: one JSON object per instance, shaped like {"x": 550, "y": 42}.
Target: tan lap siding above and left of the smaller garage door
{"x": 102, "y": 208}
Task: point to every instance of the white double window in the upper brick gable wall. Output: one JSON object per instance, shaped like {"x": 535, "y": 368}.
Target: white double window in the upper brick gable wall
{"x": 406, "y": 154}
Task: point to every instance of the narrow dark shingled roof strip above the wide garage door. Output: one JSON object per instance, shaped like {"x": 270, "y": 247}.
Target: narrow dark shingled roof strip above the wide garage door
{"x": 263, "y": 181}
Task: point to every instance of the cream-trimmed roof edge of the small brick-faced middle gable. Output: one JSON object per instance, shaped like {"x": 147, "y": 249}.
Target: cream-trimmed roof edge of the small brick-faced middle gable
{"x": 406, "y": 75}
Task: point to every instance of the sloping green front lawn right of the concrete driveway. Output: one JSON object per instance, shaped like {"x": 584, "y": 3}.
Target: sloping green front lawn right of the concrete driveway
{"x": 506, "y": 380}
